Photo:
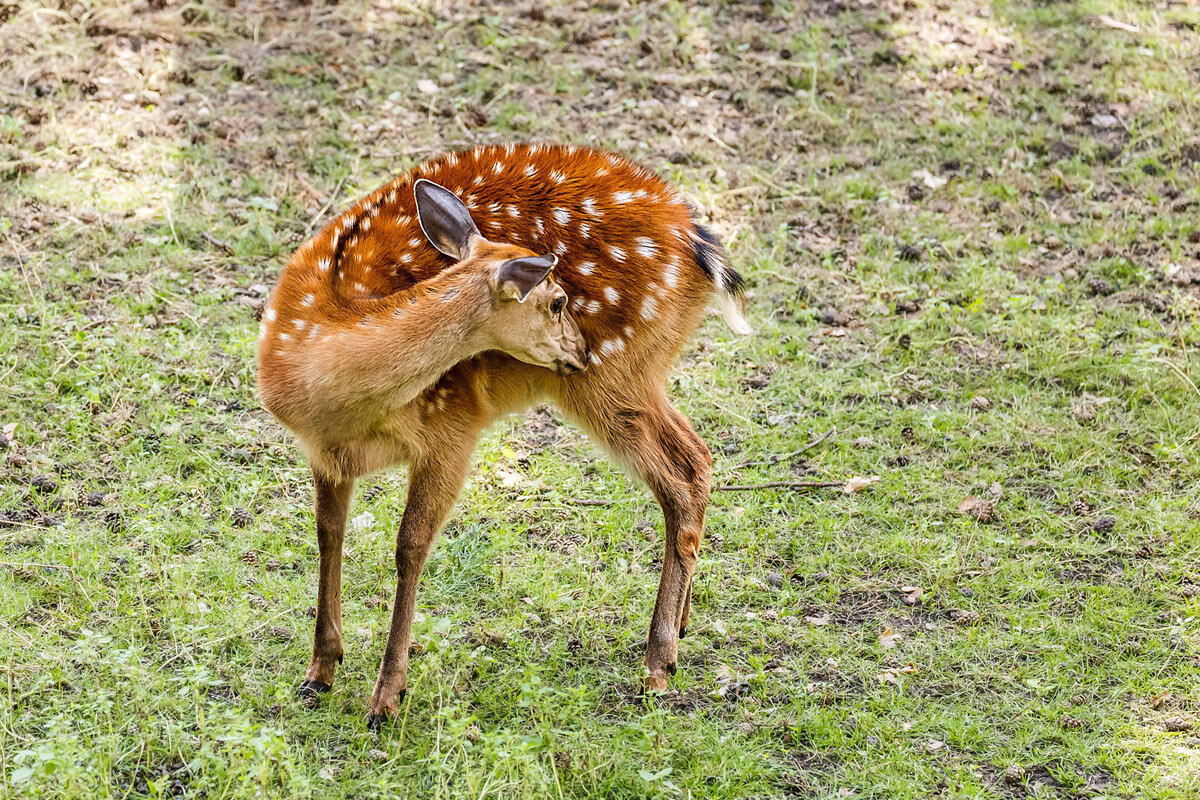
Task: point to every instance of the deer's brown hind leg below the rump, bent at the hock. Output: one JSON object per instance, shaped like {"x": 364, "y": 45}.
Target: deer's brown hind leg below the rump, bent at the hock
{"x": 658, "y": 443}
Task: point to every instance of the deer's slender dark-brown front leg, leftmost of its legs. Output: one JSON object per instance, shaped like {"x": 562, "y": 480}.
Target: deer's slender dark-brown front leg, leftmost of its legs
{"x": 333, "y": 506}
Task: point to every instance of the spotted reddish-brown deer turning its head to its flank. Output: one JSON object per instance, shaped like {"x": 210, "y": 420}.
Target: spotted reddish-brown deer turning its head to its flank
{"x": 472, "y": 287}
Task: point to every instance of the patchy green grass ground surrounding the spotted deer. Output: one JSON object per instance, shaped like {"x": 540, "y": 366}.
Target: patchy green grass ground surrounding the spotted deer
{"x": 971, "y": 237}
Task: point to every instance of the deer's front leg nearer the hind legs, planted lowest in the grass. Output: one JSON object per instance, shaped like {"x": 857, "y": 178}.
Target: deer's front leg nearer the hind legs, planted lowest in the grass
{"x": 433, "y": 489}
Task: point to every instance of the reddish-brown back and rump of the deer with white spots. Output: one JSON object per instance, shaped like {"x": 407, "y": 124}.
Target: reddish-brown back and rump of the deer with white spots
{"x": 623, "y": 238}
